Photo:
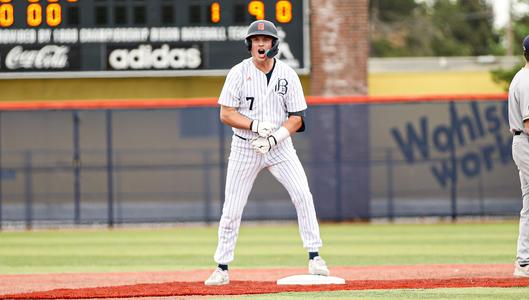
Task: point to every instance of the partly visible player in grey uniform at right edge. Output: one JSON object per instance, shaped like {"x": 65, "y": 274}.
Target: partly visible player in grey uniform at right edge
{"x": 519, "y": 126}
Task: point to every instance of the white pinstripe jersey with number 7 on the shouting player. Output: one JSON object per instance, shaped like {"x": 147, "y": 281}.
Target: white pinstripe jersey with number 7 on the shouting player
{"x": 246, "y": 89}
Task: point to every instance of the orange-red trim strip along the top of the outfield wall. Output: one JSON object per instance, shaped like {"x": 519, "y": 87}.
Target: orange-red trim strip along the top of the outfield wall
{"x": 211, "y": 102}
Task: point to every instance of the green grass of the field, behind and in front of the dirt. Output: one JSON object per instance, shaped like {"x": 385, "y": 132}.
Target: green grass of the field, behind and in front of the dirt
{"x": 260, "y": 246}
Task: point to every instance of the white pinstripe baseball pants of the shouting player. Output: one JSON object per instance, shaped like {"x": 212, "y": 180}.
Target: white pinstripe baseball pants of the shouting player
{"x": 243, "y": 167}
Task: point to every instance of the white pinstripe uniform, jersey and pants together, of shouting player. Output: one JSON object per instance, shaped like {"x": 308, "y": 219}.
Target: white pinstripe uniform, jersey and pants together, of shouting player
{"x": 246, "y": 89}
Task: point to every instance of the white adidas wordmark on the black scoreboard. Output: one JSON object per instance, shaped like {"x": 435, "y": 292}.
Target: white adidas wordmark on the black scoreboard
{"x": 144, "y": 57}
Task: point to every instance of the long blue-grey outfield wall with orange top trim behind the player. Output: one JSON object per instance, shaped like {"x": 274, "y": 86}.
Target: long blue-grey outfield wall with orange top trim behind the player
{"x": 164, "y": 161}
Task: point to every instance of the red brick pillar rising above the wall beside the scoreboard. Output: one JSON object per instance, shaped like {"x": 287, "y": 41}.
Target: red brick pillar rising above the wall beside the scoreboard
{"x": 339, "y": 47}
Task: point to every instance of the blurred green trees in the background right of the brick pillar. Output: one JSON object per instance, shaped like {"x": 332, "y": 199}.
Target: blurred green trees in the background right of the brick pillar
{"x": 440, "y": 28}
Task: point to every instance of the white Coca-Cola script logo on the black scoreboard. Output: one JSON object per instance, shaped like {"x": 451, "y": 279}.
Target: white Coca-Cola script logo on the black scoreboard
{"x": 48, "y": 57}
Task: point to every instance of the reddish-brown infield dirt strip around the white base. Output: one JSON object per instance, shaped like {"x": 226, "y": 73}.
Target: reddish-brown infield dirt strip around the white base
{"x": 250, "y": 281}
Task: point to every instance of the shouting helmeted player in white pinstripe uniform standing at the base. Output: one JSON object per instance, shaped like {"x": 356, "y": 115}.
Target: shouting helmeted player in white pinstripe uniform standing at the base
{"x": 262, "y": 100}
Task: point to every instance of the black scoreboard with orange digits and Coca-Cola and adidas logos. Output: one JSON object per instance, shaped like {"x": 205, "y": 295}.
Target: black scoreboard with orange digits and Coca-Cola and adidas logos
{"x": 69, "y": 38}
